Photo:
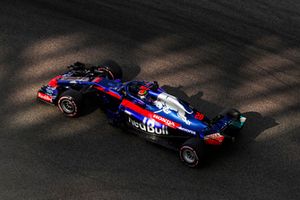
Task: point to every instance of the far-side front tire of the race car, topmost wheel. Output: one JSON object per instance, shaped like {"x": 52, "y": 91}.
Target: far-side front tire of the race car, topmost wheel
{"x": 112, "y": 69}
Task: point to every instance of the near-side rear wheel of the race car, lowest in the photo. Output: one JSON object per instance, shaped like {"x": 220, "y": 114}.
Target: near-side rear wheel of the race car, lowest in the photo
{"x": 191, "y": 152}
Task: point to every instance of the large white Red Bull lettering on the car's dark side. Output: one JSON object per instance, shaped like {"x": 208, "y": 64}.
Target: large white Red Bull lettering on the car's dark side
{"x": 148, "y": 125}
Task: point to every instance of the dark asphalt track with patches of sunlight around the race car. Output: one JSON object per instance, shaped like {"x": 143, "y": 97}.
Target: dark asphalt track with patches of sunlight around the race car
{"x": 214, "y": 54}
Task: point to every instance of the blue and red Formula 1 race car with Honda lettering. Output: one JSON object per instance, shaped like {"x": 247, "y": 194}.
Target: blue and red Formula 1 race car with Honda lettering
{"x": 143, "y": 106}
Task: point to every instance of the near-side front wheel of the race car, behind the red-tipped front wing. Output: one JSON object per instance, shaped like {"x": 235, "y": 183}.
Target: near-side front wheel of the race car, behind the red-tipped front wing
{"x": 70, "y": 103}
